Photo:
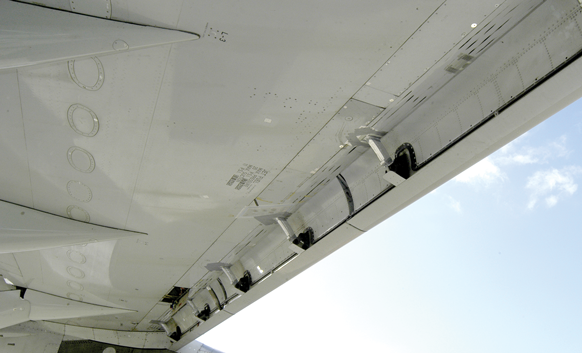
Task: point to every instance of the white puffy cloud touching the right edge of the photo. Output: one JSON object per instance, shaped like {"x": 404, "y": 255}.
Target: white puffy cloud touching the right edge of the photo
{"x": 552, "y": 185}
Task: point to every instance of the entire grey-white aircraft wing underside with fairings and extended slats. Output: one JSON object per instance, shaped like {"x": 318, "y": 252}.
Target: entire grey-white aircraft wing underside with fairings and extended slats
{"x": 165, "y": 164}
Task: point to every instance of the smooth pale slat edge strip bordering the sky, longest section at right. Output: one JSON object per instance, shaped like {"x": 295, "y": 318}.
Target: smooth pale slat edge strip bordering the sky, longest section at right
{"x": 560, "y": 91}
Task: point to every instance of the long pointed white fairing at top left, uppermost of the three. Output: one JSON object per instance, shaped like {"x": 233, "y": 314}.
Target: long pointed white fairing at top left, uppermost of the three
{"x": 41, "y": 35}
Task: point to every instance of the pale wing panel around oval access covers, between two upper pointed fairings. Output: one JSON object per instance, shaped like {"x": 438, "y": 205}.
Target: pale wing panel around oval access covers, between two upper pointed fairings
{"x": 129, "y": 90}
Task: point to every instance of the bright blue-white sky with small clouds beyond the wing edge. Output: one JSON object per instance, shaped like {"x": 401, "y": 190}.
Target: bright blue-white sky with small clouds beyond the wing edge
{"x": 489, "y": 262}
